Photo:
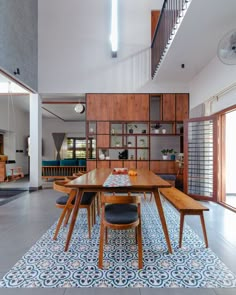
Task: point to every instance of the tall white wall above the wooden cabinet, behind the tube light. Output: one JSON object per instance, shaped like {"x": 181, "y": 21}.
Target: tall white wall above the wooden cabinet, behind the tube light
{"x": 74, "y": 48}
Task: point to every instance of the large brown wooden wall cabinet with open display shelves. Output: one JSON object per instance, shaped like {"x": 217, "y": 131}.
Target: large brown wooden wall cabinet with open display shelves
{"x": 111, "y": 116}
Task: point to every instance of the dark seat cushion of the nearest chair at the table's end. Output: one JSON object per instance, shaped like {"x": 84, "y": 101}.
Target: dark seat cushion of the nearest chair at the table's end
{"x": 121, "y": 213}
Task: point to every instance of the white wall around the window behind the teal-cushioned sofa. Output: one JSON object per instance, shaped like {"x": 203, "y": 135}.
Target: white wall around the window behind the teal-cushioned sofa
{"x": 50, "y": 126}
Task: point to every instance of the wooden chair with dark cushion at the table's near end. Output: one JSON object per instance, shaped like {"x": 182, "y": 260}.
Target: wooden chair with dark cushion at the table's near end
{"x": 120, "y": 212}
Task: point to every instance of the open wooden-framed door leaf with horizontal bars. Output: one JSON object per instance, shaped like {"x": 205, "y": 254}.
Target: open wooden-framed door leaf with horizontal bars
{"x": 201, "y": 162}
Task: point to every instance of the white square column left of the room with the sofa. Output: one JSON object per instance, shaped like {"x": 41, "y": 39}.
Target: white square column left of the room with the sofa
{"x": 35, "y": 142}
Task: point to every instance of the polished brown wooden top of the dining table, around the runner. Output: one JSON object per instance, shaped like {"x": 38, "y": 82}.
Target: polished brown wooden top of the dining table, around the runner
{"x": 145, "y": 180}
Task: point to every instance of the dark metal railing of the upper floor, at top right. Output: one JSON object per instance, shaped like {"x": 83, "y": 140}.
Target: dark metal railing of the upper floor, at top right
{"x": 170, "y": 16}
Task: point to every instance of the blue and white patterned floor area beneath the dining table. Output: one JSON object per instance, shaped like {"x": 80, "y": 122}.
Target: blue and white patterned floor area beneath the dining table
{"x": 47, "y": 265}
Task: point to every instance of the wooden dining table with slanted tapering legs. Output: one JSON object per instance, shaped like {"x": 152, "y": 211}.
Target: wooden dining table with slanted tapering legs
{"x": 93, "y": 181}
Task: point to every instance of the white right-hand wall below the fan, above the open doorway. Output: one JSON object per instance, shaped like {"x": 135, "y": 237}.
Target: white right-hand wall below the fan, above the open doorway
{"x": 215, "y": 77}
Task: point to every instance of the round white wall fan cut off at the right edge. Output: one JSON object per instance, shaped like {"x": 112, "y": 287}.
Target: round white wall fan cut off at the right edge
{"x": 227, "y": 48}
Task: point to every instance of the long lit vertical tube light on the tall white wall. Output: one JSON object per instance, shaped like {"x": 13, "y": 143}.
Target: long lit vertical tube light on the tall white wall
{"x": 114, "y": 28}
